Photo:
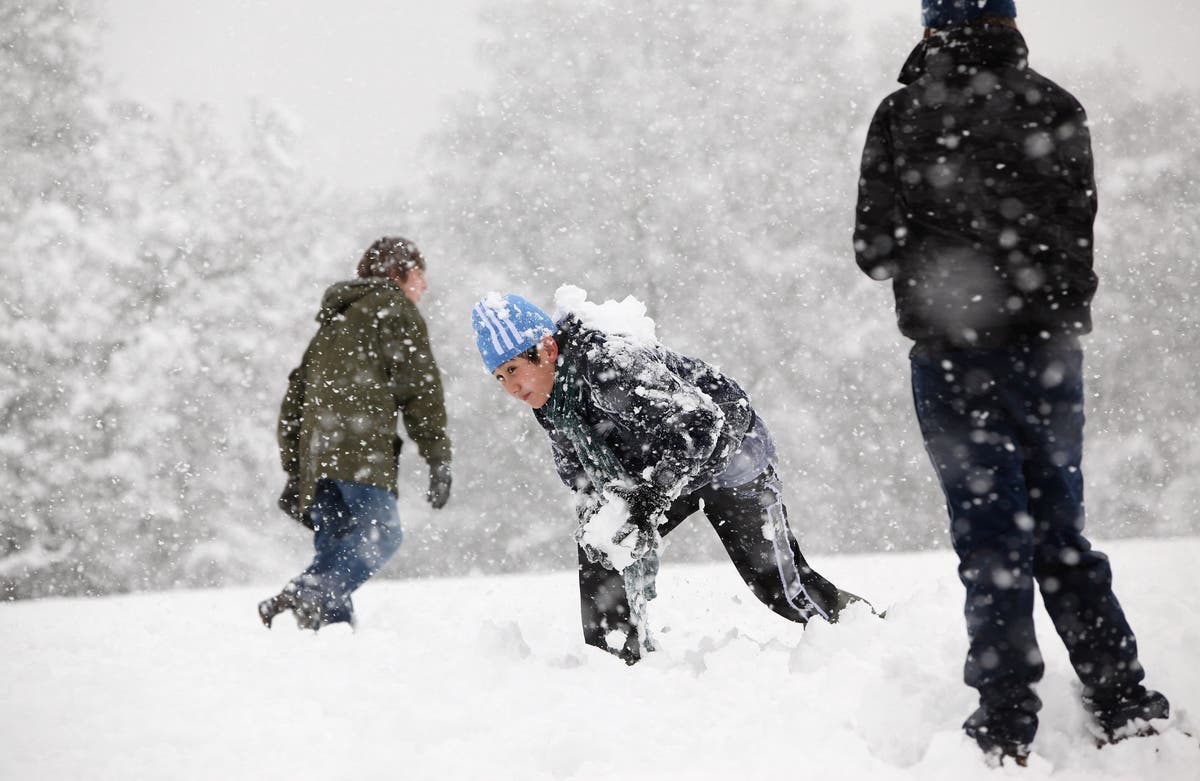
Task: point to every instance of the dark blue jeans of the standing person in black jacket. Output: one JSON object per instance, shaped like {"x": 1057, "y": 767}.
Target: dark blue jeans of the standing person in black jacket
{"x": 1005, "y": 430}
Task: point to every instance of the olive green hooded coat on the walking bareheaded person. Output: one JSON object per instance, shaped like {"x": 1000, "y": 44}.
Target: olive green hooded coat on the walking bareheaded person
{"x": 368, "y": 367}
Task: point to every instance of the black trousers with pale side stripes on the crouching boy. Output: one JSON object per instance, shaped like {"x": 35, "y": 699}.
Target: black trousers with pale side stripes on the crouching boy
{"x": 772, "y": 566}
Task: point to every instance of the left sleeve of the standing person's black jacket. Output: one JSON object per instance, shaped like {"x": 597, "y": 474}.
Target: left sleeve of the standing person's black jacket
{"x": 879, "y": 226}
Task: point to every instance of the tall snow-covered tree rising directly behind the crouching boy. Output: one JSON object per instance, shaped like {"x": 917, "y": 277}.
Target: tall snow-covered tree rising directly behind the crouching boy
{"x": 700, "y": 158}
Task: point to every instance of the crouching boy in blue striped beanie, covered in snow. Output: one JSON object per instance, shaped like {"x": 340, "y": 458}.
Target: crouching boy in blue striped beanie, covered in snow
{"x": 644, "y": 435}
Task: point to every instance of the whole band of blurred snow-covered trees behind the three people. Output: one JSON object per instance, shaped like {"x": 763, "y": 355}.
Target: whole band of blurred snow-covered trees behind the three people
{"x": 163, "y": 281}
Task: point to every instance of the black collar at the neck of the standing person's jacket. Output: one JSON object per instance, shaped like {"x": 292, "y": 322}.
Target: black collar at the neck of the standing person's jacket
{"x": 989, "y": 47}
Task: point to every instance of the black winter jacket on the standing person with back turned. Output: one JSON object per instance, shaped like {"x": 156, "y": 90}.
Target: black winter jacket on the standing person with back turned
{"x": 977, "y": 196}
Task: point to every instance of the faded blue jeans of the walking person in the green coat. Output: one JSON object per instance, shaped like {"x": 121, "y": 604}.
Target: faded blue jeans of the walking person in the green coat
{"x": 357, "y": 532}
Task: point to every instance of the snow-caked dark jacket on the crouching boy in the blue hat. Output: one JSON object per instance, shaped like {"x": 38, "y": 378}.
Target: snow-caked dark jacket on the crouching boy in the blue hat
{"x": 662, "y": 423}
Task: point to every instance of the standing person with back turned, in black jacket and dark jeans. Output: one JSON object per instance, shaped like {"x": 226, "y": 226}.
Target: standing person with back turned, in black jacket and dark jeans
{"x": 977, "y": 201}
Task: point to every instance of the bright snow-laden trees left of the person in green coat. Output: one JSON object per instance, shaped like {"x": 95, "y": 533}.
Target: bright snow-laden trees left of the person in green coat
{"x": 151, "y": 263}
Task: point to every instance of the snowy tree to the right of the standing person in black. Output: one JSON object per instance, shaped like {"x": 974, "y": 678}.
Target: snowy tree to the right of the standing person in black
{"x": 1145, "y": 406}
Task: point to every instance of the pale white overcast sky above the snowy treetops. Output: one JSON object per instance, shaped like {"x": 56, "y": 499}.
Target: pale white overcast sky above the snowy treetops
{"x": 368, "y": 79}
